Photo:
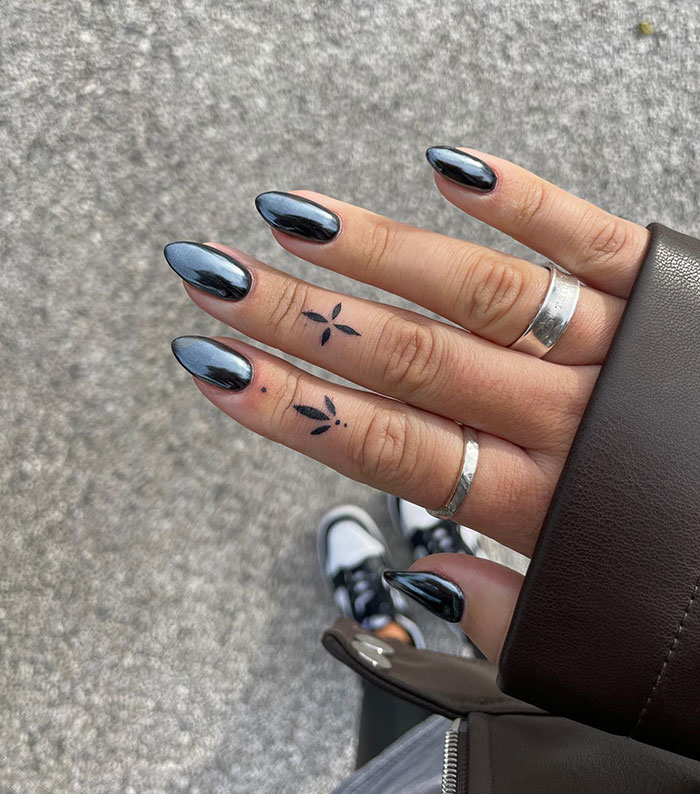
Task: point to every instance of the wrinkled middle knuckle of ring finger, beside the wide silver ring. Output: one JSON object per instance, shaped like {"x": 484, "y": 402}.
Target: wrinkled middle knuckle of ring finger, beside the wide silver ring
{"x": 495, "y": 288}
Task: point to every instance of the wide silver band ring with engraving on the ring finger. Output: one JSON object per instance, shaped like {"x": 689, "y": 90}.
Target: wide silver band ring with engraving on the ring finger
{"x": 553, "y": 316}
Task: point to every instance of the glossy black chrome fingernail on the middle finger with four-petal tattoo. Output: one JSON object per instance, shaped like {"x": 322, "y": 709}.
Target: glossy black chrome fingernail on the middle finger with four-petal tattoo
{"x": 209, "y": 270}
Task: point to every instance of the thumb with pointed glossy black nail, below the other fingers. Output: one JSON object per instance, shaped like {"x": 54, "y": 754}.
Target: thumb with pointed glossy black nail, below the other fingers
{"x": 477, "y": 593}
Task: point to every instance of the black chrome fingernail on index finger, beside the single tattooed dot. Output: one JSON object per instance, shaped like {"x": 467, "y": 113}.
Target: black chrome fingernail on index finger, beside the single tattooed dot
{"x": 213, "y": 362}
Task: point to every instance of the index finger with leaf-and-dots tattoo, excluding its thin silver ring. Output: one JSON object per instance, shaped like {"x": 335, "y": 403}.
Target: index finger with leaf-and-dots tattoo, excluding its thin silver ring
{"x": 394, "y": 447}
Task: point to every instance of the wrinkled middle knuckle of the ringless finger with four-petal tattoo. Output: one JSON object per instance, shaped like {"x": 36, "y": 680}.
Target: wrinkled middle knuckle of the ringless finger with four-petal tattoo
{"x": 414, "y": 355}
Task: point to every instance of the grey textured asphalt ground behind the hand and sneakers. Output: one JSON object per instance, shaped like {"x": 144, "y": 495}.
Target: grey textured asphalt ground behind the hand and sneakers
{"x": 160, "y": 609}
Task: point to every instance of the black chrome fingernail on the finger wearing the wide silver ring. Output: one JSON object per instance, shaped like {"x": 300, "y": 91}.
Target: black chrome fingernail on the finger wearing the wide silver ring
{"x": 298, "y": 216}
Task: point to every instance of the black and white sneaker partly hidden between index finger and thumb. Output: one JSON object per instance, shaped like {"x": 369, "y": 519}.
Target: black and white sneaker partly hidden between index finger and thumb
{"x": 426, "y": 534}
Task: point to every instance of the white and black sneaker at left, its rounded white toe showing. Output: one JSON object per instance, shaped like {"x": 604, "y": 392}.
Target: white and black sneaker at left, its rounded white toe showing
{"x": 353, "y": 555}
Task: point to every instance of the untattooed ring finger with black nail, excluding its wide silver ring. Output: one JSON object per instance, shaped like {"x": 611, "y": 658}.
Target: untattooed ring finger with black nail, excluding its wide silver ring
{"x": 487, "y": 292}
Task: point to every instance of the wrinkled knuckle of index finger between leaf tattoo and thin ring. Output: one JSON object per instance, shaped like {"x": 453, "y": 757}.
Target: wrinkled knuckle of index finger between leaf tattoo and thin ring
{"x": 384, "y": 453}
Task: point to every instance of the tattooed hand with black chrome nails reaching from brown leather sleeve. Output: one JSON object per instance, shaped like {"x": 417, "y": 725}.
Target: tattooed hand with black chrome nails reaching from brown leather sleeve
{"x": 426, "y": 375}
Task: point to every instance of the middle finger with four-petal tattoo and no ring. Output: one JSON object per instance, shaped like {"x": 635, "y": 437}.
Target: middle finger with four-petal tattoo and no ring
{"x": 403, "y": 355}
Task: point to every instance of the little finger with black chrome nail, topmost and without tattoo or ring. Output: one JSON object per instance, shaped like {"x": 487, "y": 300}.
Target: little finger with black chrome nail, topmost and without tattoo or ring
{"x": 603, "y": 250}
